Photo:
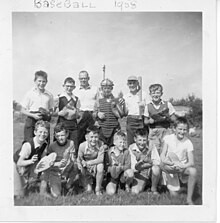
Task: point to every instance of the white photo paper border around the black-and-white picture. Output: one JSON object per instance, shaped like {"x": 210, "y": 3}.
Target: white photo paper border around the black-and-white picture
{"x": 204, "y": 212}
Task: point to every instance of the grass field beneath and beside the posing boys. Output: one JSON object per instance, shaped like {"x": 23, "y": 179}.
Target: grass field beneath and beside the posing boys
{"x": 122, "y": 197}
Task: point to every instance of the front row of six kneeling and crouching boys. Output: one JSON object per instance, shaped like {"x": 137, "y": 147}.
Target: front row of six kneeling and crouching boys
{"x": 133, "y": 166}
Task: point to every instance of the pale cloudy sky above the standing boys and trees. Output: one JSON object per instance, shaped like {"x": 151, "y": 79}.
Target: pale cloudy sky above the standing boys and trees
{"x": 161, "y": 47}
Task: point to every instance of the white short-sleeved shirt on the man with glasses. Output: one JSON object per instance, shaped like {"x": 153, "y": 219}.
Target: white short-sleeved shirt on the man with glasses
{"x": 87, "y": 97}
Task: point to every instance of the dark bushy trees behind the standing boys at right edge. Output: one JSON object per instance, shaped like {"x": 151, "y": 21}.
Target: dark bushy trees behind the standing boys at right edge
{"x": 194, "y": 115}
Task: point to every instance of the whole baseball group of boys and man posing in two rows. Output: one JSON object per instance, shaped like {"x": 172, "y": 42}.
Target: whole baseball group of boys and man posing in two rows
{"x": 88, "y": 140}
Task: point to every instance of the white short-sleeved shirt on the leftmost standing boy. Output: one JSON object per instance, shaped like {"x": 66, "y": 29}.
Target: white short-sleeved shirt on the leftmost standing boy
{"x": 34, "y": 99}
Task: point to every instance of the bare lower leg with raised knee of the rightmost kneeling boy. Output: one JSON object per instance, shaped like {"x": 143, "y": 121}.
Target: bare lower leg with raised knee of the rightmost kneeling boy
{"x": 191, "y": 171}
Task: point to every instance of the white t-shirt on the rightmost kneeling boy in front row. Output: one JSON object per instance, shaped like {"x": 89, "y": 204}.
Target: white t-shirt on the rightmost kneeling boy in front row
{"x": 180, "y": 148}
